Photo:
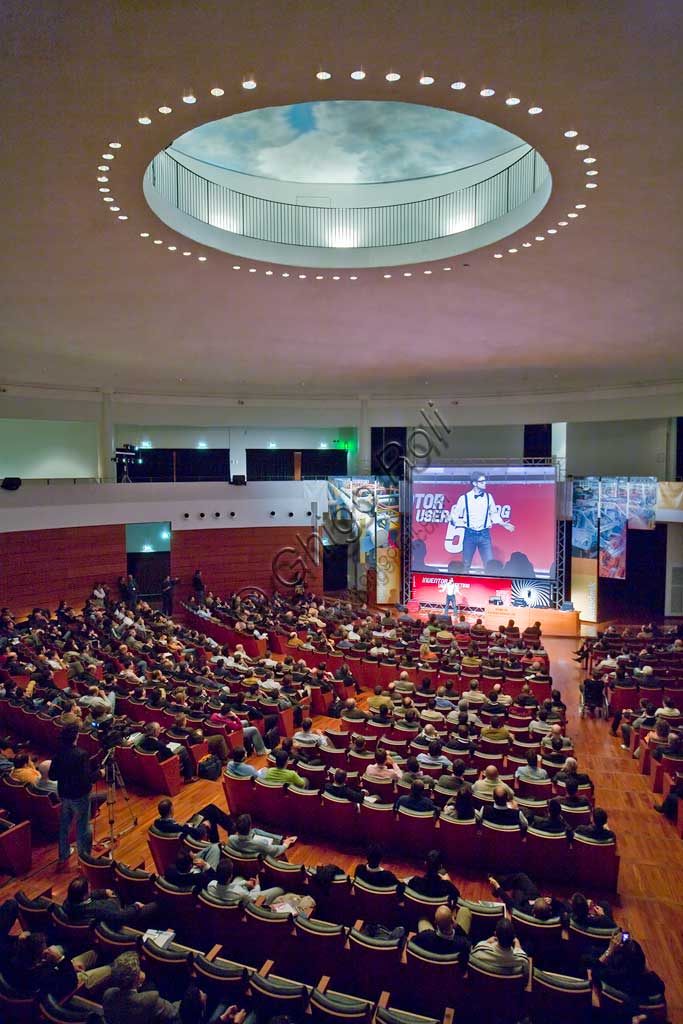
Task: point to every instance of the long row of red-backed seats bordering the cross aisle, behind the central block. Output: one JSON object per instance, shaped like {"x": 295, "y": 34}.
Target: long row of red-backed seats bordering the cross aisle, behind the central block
{"x": 412, "y": 834}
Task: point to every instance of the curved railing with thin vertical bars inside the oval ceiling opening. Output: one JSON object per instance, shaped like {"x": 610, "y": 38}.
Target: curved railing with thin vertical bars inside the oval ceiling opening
{"x": 347, "y": 228}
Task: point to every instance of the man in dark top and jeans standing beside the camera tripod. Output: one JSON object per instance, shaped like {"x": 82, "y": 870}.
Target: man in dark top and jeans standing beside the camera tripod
{"x": 71, "y": 771}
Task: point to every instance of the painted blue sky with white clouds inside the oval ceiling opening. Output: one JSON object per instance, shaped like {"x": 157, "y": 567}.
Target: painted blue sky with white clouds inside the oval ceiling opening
{"x": 350, "y": 142}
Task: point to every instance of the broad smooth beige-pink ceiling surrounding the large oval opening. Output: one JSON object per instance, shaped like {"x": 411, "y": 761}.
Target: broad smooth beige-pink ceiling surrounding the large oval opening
{"x": 589, "y": 296}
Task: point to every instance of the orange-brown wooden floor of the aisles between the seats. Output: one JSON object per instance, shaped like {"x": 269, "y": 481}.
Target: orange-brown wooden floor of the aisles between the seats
{"x": 651, "y": 900}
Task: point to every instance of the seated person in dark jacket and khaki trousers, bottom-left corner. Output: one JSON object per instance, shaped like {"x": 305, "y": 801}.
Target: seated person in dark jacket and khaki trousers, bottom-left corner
{"x": 37, "y": 969}
